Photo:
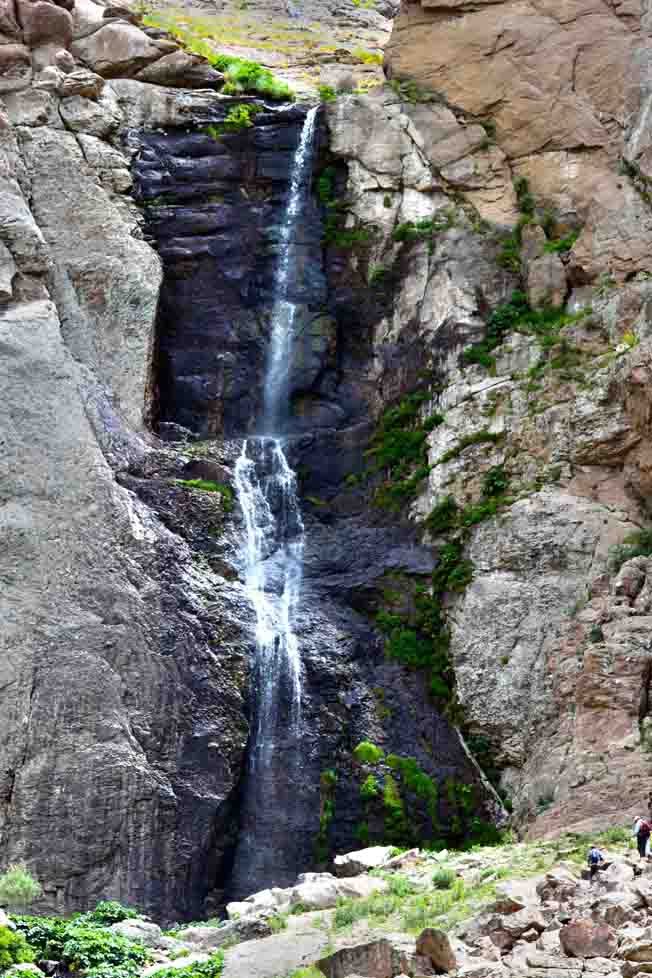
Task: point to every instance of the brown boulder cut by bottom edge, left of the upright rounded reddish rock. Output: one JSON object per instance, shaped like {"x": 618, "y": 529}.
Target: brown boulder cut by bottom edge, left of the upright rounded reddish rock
{"x": 376, "y": 959}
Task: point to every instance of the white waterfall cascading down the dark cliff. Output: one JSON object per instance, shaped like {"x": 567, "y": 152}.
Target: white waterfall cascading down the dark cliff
{"x": 272, "y": 565}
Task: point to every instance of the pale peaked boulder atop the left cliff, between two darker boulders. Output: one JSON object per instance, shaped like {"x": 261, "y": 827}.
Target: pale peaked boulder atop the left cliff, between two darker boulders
{"x": 117, "y": 49}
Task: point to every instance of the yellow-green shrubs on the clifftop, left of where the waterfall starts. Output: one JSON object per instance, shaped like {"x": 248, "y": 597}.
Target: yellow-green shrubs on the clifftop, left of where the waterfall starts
{"x": 240, "y": 74}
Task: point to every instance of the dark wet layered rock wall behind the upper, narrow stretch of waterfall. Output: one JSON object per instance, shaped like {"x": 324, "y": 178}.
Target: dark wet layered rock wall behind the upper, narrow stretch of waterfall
{"x": 214, "y": 208}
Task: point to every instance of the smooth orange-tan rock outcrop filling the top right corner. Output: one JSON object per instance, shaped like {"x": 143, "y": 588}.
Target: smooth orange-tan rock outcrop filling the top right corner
{"x": 563, "y": 98}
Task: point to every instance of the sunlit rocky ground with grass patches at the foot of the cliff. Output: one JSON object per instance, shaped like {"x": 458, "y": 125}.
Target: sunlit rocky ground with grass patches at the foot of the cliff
{"x": 513, "y": 910}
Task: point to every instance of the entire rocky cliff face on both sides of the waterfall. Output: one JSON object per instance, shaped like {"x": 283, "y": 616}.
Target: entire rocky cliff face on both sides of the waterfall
{"x": 470, "y": 426}
